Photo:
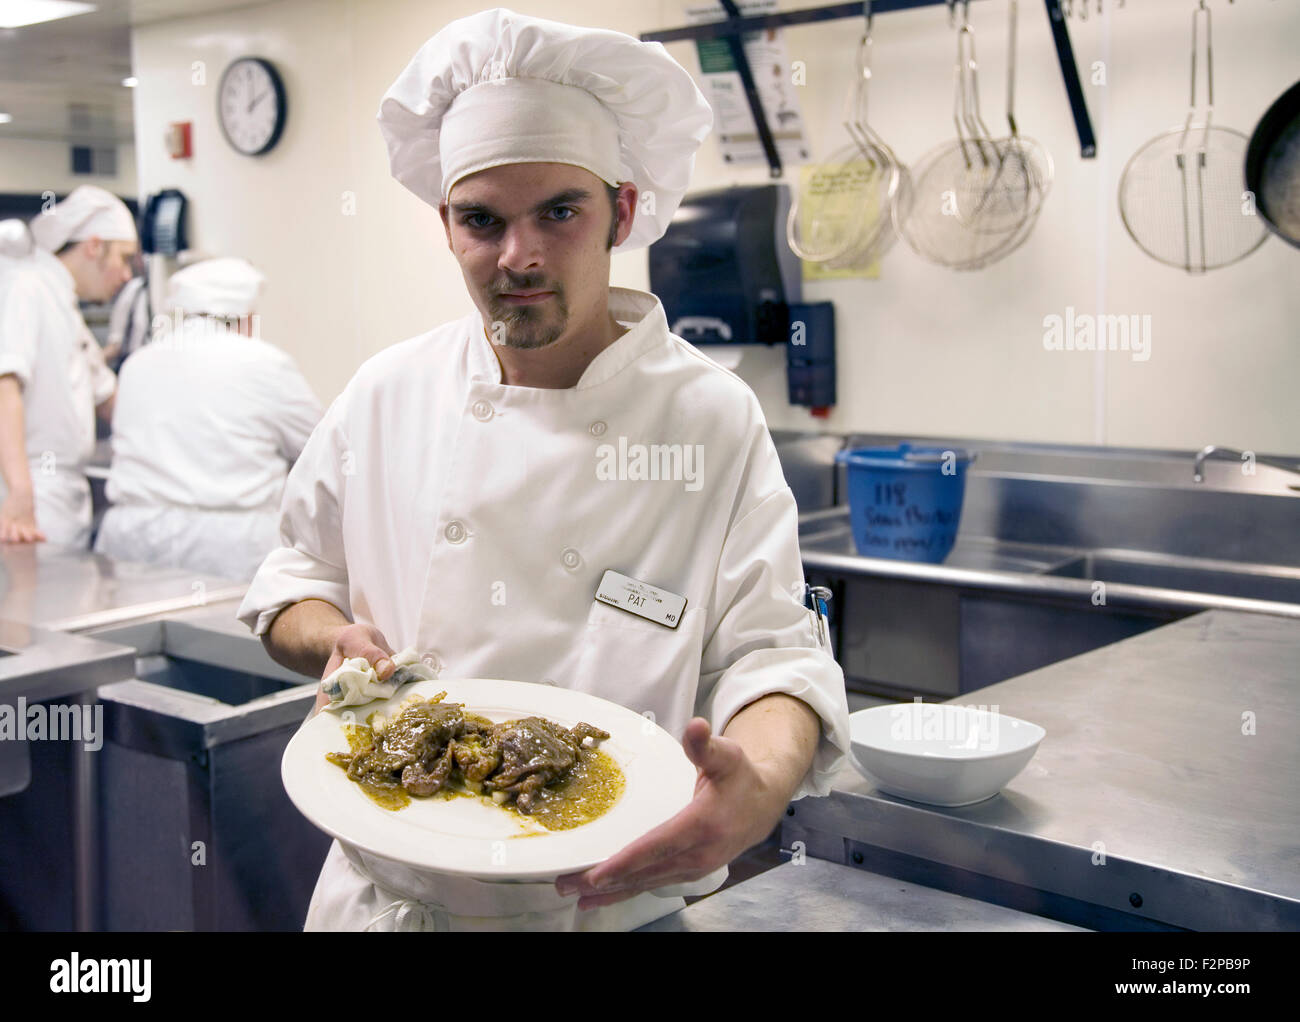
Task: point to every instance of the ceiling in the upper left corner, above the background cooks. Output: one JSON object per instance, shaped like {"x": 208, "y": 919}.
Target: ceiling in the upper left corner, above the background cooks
{"x": 63, "y": 80}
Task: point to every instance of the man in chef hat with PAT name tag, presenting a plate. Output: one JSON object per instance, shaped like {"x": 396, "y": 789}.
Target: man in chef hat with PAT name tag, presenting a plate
{"x": 471, "y": 487}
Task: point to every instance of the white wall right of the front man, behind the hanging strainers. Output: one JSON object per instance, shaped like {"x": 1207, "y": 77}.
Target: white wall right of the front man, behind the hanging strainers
{"x": 930, "y": 352}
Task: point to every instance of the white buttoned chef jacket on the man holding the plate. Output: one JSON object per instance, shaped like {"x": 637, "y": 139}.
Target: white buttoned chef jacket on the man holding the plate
{"x": 469, "y": 519}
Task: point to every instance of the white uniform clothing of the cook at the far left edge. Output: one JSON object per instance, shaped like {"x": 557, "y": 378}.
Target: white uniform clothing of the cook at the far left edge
{"x": 45, "y": 343}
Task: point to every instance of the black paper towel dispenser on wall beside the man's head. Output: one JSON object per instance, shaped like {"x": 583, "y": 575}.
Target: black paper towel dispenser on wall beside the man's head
{"x": 723, "y": 270}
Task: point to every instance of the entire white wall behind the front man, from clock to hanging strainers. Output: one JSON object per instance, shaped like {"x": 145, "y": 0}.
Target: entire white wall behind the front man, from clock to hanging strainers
{"x": 922, "y": 350}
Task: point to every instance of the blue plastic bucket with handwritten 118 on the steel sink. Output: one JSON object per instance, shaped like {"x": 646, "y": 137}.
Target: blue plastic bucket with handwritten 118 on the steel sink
{"x": 905, "y": 503}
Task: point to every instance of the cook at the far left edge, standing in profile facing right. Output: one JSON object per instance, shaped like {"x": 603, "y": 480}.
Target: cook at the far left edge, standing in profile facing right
{"x": 53, "y": 374}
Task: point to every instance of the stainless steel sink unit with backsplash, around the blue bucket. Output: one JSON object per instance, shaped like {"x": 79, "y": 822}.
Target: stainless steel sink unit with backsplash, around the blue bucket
{"x": 1041, "y": 526}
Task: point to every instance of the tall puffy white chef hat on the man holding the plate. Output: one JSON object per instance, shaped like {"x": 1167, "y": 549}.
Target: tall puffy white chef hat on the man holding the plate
{"x": 500, "y": 88}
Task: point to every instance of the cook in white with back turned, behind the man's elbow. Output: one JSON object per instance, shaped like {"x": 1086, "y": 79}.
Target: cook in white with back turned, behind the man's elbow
{"x": 209, "y": 422}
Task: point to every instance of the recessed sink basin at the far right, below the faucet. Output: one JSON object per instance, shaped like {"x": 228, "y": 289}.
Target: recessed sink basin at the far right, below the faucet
{"x": 1189, "y": 575}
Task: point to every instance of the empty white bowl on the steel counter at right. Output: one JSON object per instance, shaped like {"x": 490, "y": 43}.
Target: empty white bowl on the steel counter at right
{"x": 942, "y": 755}
